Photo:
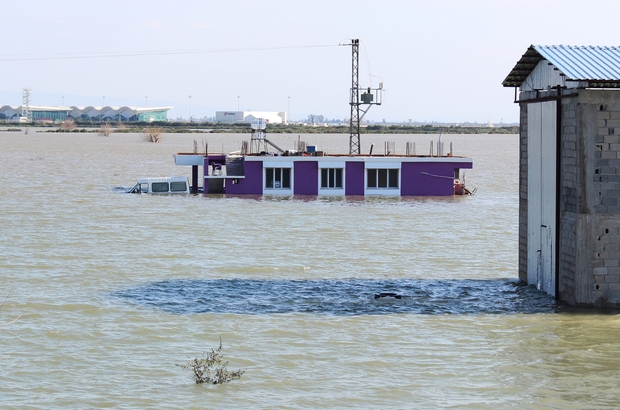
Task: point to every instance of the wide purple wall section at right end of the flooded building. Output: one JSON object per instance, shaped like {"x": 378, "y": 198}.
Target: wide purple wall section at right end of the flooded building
{"x": 414, "y": 182}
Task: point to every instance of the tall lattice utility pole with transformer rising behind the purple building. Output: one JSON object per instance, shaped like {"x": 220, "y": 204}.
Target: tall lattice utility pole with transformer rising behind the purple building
{"x": 370, "y": 96}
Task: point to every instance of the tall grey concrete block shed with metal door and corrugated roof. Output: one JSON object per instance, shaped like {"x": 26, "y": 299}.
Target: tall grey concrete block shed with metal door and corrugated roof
{"x": 569, "y": 184}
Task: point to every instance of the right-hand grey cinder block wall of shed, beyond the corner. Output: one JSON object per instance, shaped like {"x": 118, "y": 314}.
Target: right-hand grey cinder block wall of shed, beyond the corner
{"x": 600, "y": 136}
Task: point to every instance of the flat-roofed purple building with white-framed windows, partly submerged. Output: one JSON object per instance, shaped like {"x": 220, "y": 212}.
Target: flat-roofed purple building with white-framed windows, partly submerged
{"x": 314, "y": 173}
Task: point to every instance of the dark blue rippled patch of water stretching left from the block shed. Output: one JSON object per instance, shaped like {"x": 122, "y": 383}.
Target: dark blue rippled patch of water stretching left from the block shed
{"x": 343, "y": 297}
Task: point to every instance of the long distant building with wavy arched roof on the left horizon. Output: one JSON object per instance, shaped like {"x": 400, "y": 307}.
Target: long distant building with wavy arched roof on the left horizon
{"x": 89, "y": 113}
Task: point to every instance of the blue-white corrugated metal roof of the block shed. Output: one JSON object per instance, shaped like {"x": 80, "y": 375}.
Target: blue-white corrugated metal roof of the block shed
{"x": 576, "y": 63}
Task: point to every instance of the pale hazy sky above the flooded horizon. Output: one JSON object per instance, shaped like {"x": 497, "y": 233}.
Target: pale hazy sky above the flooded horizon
{"x": 439, "y": 60}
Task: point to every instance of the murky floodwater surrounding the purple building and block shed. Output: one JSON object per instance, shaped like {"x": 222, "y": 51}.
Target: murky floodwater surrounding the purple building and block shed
{"x": 112, "y": 291}
